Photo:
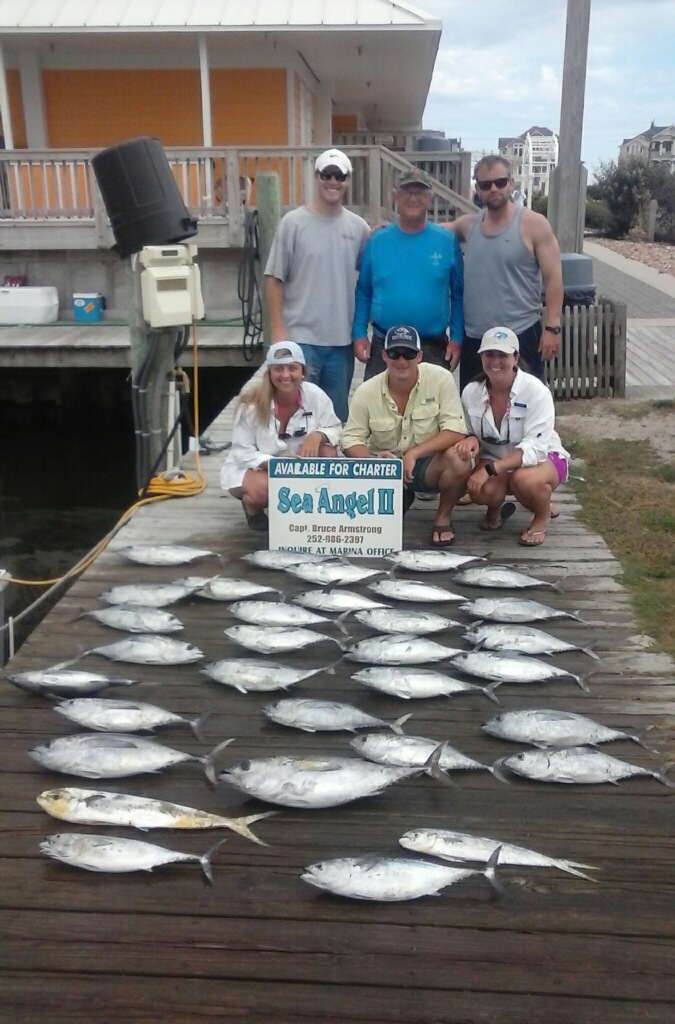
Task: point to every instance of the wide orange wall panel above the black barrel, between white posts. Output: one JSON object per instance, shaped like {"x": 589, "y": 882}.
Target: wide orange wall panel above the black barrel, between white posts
{"x": 102, "y": 108}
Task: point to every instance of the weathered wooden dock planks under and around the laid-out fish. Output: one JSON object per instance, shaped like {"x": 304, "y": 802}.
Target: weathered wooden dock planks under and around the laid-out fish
{"x": 262, "y": 947}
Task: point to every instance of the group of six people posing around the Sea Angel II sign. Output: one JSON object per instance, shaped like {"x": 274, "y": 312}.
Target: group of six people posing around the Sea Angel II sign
{"x": 409, "y": 305}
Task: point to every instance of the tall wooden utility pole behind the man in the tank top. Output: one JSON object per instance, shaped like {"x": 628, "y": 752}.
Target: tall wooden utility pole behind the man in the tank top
{"x": 566, "y": 215}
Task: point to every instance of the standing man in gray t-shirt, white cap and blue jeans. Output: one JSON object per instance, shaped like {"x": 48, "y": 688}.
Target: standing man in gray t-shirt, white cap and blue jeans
{"x": 312, "y": 276}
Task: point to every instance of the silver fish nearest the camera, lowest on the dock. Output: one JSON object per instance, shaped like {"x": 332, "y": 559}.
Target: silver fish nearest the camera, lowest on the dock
{"x": 391, "y": 878}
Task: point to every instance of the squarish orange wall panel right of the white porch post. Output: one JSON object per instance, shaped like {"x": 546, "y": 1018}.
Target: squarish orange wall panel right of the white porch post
{"x": 249, "y": 107}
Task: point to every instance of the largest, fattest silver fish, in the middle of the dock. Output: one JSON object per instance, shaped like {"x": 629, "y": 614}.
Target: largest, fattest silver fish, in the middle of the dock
{"x": 316, "y": 783}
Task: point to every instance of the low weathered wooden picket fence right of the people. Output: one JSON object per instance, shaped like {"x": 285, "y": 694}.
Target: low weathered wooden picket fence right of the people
{"x": 592, "y": 359}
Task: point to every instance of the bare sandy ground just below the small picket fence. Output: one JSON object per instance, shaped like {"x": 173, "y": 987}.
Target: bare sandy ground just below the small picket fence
{"x": 600, "y": 419}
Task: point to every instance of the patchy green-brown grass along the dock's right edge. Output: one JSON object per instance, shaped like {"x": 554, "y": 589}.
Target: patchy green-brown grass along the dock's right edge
{"x": 628, "y": 497}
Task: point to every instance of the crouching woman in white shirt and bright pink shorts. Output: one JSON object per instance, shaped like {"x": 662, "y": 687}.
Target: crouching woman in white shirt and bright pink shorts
{"x": 512, "y": 419}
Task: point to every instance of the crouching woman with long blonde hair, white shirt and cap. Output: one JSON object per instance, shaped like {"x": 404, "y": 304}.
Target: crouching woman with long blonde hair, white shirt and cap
{"x": 279, "y": 414}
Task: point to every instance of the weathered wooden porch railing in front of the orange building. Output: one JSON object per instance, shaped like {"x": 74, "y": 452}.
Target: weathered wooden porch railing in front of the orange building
{"x": 41, "y": 191}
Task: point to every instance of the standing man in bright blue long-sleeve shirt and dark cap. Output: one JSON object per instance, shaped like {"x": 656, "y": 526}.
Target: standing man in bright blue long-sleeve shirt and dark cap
{"x": 410, "y": 275}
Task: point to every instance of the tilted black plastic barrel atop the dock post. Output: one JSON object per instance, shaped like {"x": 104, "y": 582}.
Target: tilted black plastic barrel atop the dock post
{"x": 141, "y": 196}
